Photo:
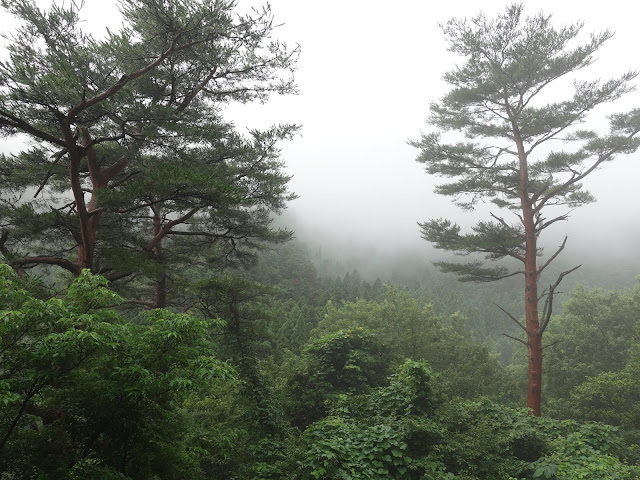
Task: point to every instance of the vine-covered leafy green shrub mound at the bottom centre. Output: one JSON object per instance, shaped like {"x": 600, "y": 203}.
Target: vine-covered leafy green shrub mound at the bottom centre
{"x": 364, "y": 436}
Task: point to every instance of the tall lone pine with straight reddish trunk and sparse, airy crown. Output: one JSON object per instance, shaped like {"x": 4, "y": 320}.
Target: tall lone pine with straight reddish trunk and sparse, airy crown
{"x": 523, "y": 155}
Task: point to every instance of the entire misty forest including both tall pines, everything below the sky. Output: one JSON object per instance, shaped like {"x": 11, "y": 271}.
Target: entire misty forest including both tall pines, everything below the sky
{"x": 159, "y": 320}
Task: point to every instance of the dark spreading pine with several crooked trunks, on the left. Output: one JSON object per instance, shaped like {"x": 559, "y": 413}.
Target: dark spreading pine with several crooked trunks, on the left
{"x": 132, "y": 168}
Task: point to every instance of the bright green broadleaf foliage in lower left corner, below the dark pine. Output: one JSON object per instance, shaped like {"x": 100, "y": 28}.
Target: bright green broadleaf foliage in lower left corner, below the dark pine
{"x": 88, "y": 394}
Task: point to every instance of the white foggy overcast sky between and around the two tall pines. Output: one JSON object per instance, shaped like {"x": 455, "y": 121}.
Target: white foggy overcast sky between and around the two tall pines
{"x": 367, "y": 73}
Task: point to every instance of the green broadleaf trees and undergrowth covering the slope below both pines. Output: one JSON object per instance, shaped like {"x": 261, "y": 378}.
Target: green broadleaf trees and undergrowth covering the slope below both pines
{"x": 282, "y": 374}
